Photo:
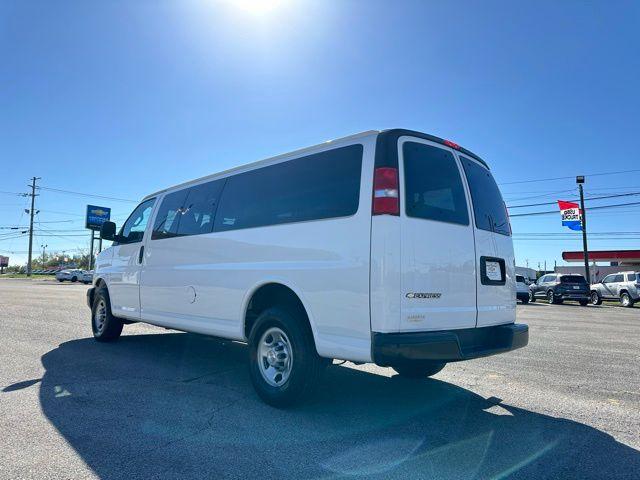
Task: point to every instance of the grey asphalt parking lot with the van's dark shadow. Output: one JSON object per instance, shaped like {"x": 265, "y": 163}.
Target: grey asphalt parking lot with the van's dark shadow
{"x": 162, "y": 404}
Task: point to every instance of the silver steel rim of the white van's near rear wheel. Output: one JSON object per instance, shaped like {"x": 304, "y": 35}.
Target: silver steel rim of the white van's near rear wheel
{"x": 275, "y": 358}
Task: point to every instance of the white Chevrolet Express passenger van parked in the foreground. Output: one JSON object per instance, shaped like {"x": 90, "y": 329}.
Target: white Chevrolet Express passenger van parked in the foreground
{"x": 391, "y": 247}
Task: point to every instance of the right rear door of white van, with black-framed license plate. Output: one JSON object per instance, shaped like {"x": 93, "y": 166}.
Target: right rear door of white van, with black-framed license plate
{"x": 494, "y": 247}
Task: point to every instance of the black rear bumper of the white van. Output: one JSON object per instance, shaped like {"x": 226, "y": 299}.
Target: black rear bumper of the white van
{"x": 448, "y": 345}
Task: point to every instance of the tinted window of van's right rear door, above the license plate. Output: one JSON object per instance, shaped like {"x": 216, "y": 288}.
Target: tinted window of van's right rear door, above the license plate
{"x": 488, "y": 205}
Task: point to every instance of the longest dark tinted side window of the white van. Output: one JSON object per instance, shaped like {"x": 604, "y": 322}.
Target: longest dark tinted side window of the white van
{"x": 323, "y": 185}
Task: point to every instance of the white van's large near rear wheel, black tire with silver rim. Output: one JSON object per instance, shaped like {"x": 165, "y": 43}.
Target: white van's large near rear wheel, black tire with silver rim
{"x": 290, "y": 332}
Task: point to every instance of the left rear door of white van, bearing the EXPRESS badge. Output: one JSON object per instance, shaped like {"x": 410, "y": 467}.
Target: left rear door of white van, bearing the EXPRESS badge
{"x": 438, "y": 261}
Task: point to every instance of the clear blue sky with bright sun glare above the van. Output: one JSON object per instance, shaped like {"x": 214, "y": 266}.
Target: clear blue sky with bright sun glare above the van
{"x": 122, "y": 98}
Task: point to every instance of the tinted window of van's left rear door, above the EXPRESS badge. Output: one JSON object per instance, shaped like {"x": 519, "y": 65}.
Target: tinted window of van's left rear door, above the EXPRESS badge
{"x": 433, "y": 186}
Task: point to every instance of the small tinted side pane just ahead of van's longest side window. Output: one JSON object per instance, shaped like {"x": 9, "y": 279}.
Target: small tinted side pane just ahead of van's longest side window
{"x": 199, "y": 208}
